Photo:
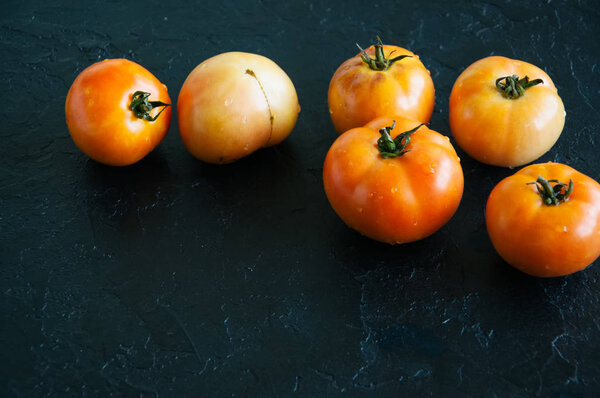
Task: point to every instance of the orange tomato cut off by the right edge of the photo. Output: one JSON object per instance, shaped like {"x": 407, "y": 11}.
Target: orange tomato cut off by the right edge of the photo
{"x": 545, "y": 220}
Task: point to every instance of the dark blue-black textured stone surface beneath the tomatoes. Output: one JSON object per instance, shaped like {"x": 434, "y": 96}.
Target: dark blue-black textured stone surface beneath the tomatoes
{"x": 177, "y": 278}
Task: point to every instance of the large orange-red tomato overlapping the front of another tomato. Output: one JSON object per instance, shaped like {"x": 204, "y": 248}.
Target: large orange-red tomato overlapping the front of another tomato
{"x": 393, "y": 191}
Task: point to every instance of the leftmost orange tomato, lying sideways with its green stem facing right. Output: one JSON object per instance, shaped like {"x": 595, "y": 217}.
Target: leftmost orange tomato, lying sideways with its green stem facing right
{"x": 100, "y": 116}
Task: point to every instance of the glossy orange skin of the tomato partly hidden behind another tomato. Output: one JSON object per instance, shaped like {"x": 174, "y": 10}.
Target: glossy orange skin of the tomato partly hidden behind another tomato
{"x": 358, "y": 94}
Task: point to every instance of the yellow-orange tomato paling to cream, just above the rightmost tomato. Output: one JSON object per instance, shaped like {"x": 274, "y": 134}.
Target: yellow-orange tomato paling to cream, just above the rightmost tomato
{"x": 505, "y": 112}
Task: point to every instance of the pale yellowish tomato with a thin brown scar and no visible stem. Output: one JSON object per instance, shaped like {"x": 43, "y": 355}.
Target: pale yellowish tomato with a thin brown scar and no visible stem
{"x": 233, "y": 104}
